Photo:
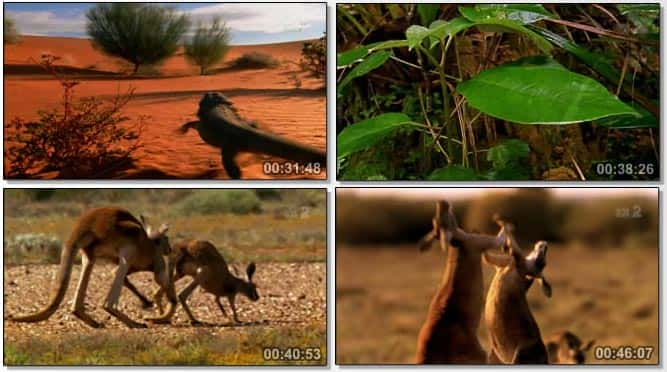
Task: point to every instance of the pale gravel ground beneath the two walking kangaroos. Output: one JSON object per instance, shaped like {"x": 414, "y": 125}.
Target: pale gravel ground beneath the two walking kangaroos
{"x": 291, "y": 295}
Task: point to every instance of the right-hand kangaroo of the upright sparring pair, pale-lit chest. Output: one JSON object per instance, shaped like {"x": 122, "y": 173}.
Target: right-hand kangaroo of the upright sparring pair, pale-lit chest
{"x": 514, "y": 336}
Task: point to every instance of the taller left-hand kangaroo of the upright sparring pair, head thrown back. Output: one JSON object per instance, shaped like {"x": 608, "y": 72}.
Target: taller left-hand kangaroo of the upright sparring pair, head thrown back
{"x": 449, "y": 334}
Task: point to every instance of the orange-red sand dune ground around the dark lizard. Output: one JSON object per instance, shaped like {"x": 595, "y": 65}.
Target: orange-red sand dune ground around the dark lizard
{"x": 268, "y": 96}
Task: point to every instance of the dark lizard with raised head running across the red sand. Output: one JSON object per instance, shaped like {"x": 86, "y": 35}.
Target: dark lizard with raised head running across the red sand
{"x": 221, "y": 126}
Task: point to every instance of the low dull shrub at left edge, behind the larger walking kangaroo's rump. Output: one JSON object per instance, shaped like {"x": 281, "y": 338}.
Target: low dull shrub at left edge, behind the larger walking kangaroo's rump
{"x": 36, "y": 248}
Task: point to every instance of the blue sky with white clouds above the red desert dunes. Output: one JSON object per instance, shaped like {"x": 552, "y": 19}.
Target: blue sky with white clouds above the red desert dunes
{"x": 251, "y": 23}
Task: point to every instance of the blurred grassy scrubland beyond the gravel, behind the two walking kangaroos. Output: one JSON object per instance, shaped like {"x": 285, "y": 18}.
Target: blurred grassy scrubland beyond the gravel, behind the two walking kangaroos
{"x": 245, "y": 224}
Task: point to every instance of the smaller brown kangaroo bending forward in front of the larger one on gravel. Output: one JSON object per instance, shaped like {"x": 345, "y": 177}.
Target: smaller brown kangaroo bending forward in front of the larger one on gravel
{"x": 202, "y": 261}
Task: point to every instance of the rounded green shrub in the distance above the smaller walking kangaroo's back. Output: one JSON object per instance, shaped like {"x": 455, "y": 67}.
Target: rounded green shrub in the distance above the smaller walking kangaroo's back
{"x": 235, "y": 201}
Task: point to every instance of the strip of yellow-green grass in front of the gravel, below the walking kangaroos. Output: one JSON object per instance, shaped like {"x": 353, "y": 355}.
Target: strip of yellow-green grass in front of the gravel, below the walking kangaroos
{"x": 196, "y": 347}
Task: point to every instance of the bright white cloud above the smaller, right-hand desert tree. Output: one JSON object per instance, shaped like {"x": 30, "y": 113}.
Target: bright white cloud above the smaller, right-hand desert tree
{"x": 267, "y": 18}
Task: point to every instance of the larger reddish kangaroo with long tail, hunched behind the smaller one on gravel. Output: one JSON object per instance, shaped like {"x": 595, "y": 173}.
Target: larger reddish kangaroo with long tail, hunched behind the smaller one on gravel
{"x": 110, "y": 233}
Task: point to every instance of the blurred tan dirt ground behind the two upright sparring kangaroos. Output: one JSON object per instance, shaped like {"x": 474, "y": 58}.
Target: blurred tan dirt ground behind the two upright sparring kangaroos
{"x": 382, "y": 295}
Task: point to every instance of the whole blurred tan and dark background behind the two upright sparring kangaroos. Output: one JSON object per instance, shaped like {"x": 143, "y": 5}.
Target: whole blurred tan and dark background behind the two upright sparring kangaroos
{"x": 602, "y": 263}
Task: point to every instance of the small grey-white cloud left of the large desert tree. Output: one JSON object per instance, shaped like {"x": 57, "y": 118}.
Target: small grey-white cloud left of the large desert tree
{"x": 45, "y": 23}
